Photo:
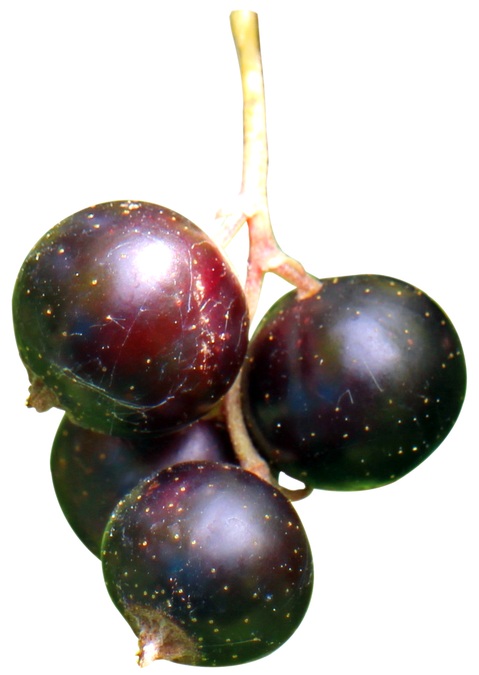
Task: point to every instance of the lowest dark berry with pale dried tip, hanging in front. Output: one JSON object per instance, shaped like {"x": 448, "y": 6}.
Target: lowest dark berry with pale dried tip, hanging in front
{"x": 209, "y": 565}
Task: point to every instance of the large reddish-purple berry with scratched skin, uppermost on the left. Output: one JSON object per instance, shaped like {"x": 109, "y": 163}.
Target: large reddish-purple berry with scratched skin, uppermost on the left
{"x": 132, "y": 316}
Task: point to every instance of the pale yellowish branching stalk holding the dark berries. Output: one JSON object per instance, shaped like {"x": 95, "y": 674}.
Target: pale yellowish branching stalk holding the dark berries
{"x": 251, "y": 207}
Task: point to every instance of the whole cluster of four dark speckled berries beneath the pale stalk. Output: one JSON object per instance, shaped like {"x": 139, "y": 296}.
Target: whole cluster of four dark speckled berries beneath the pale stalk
{"x": 128, "y": 317}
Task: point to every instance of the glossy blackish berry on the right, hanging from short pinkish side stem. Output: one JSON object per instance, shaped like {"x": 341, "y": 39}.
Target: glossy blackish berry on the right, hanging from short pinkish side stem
{"x": 352, "y": 389}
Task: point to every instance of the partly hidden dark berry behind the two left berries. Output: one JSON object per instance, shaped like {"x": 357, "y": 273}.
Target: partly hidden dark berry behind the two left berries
{"x": 92, "y": 472}
